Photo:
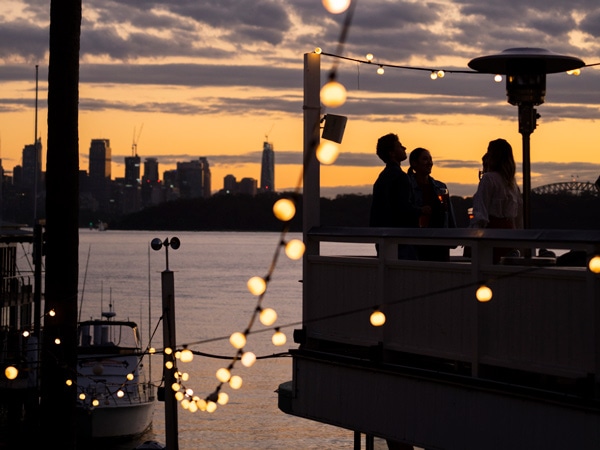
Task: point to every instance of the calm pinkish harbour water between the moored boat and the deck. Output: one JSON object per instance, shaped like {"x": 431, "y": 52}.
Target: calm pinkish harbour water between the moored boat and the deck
{"x": 211, "y": 302}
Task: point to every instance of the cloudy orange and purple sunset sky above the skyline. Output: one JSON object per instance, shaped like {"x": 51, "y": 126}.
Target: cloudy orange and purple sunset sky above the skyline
{"x": 215, "y": 78}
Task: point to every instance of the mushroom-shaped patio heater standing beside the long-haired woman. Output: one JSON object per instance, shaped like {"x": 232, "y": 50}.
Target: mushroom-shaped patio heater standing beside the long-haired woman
{"x": 525, "y": 69}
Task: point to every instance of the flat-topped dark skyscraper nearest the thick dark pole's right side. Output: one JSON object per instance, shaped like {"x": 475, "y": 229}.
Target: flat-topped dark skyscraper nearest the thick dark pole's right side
{"x": 100, "y": 172}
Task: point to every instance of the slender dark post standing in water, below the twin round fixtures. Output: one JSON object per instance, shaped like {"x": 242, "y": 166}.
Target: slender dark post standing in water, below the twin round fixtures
{"x": 168, "y": 306}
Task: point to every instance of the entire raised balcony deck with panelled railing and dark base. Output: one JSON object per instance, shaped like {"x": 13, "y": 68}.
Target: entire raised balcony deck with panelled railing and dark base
{"x": 527, "y": 358}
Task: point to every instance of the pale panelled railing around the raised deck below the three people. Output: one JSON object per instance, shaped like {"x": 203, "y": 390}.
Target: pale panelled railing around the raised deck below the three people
{"x": 543, "y": 318}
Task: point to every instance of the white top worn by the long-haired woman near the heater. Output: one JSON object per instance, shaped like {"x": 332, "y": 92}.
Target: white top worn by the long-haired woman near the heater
{"x": 495, "y": 198}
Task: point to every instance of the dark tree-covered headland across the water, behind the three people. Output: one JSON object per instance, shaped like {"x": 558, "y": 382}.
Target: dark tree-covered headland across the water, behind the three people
{"x": 254, "y": 213}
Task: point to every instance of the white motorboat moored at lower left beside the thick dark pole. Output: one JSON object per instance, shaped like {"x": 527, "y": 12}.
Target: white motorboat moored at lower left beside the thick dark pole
{"x": 115, "y": 399}
